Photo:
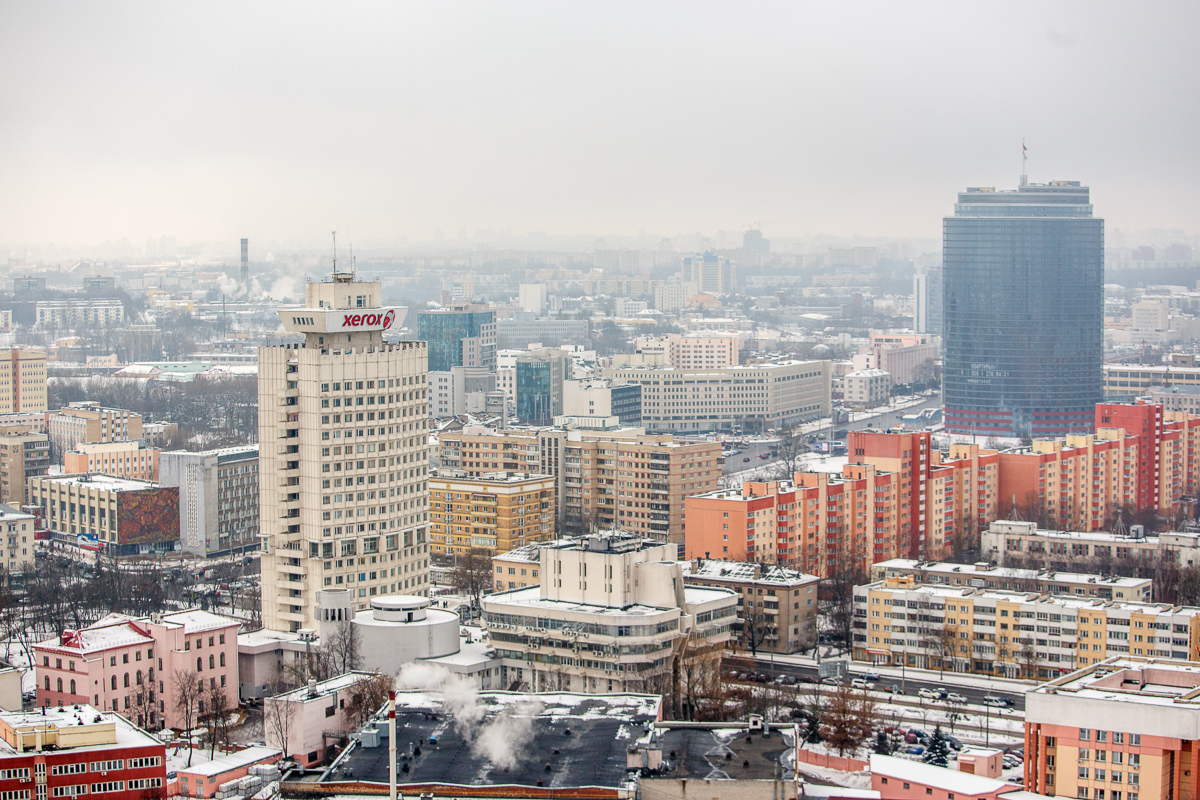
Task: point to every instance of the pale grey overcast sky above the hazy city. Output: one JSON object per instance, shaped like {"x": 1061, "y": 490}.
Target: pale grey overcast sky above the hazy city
{"x": 285, "y": 121}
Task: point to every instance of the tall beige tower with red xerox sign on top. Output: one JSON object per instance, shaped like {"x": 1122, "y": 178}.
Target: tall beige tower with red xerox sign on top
{"x": 344, "y": 460}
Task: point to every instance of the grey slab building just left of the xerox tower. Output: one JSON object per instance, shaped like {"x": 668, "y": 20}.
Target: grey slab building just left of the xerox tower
{"x": 219, "y": 496}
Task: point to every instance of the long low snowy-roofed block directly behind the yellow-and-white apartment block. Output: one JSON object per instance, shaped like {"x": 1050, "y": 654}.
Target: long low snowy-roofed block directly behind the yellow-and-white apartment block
{"x": 987, "y": 575}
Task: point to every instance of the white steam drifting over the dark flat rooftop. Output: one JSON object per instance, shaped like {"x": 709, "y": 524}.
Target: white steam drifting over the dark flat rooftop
{"x": 502, "y": 739}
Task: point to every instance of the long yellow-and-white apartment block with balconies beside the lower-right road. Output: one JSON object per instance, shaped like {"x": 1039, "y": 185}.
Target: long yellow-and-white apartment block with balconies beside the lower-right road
{"x": 1012, "y": 634}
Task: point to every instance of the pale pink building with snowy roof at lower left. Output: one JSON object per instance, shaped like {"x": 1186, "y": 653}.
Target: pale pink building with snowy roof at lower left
{"x": 129, "y": 666}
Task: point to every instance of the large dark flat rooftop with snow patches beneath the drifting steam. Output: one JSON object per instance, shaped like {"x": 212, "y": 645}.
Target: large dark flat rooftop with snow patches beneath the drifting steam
{"x": 562, "y": 741}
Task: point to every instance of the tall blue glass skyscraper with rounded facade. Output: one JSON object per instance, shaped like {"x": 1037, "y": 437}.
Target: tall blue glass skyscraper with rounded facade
{"x": 1023, "y": 311}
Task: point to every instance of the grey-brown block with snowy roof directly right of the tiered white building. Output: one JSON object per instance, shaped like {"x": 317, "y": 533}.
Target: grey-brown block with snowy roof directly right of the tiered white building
{"x": 777, "y": 606}
